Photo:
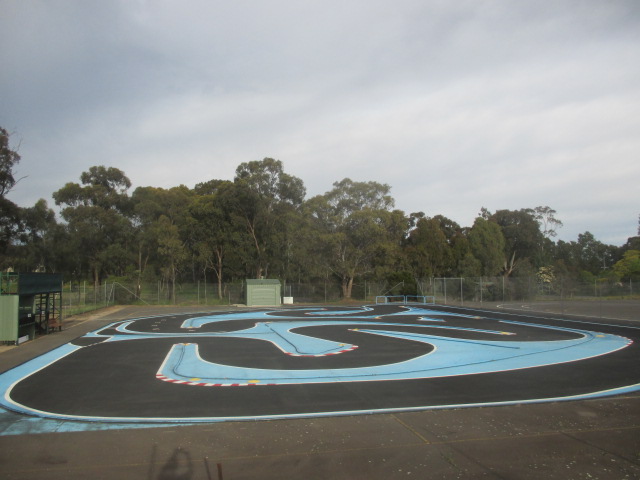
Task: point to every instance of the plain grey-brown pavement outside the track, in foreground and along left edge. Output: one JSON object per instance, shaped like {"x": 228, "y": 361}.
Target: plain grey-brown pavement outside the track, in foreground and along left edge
{"x": 593, "y": 439}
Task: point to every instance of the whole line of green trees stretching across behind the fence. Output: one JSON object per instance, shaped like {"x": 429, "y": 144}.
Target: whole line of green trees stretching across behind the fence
{"x": 260, "y": 224}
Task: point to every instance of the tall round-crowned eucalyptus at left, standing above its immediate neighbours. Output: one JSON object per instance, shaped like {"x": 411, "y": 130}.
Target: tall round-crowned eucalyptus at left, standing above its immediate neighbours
{"x": 98, "y": 215}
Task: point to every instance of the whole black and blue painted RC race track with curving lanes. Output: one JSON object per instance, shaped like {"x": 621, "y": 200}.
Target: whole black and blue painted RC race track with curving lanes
{"x": 314, "y": 361}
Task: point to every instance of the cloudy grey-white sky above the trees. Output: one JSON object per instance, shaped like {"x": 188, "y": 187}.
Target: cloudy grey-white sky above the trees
{"x": 457, "y": 105}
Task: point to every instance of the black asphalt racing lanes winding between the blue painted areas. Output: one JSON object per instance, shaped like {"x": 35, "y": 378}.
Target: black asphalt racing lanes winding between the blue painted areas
{"x": 117, "y": 379}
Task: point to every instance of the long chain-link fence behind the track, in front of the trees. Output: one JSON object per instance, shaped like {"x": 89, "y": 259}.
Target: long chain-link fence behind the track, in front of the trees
{"x": 80, "y": 297}
